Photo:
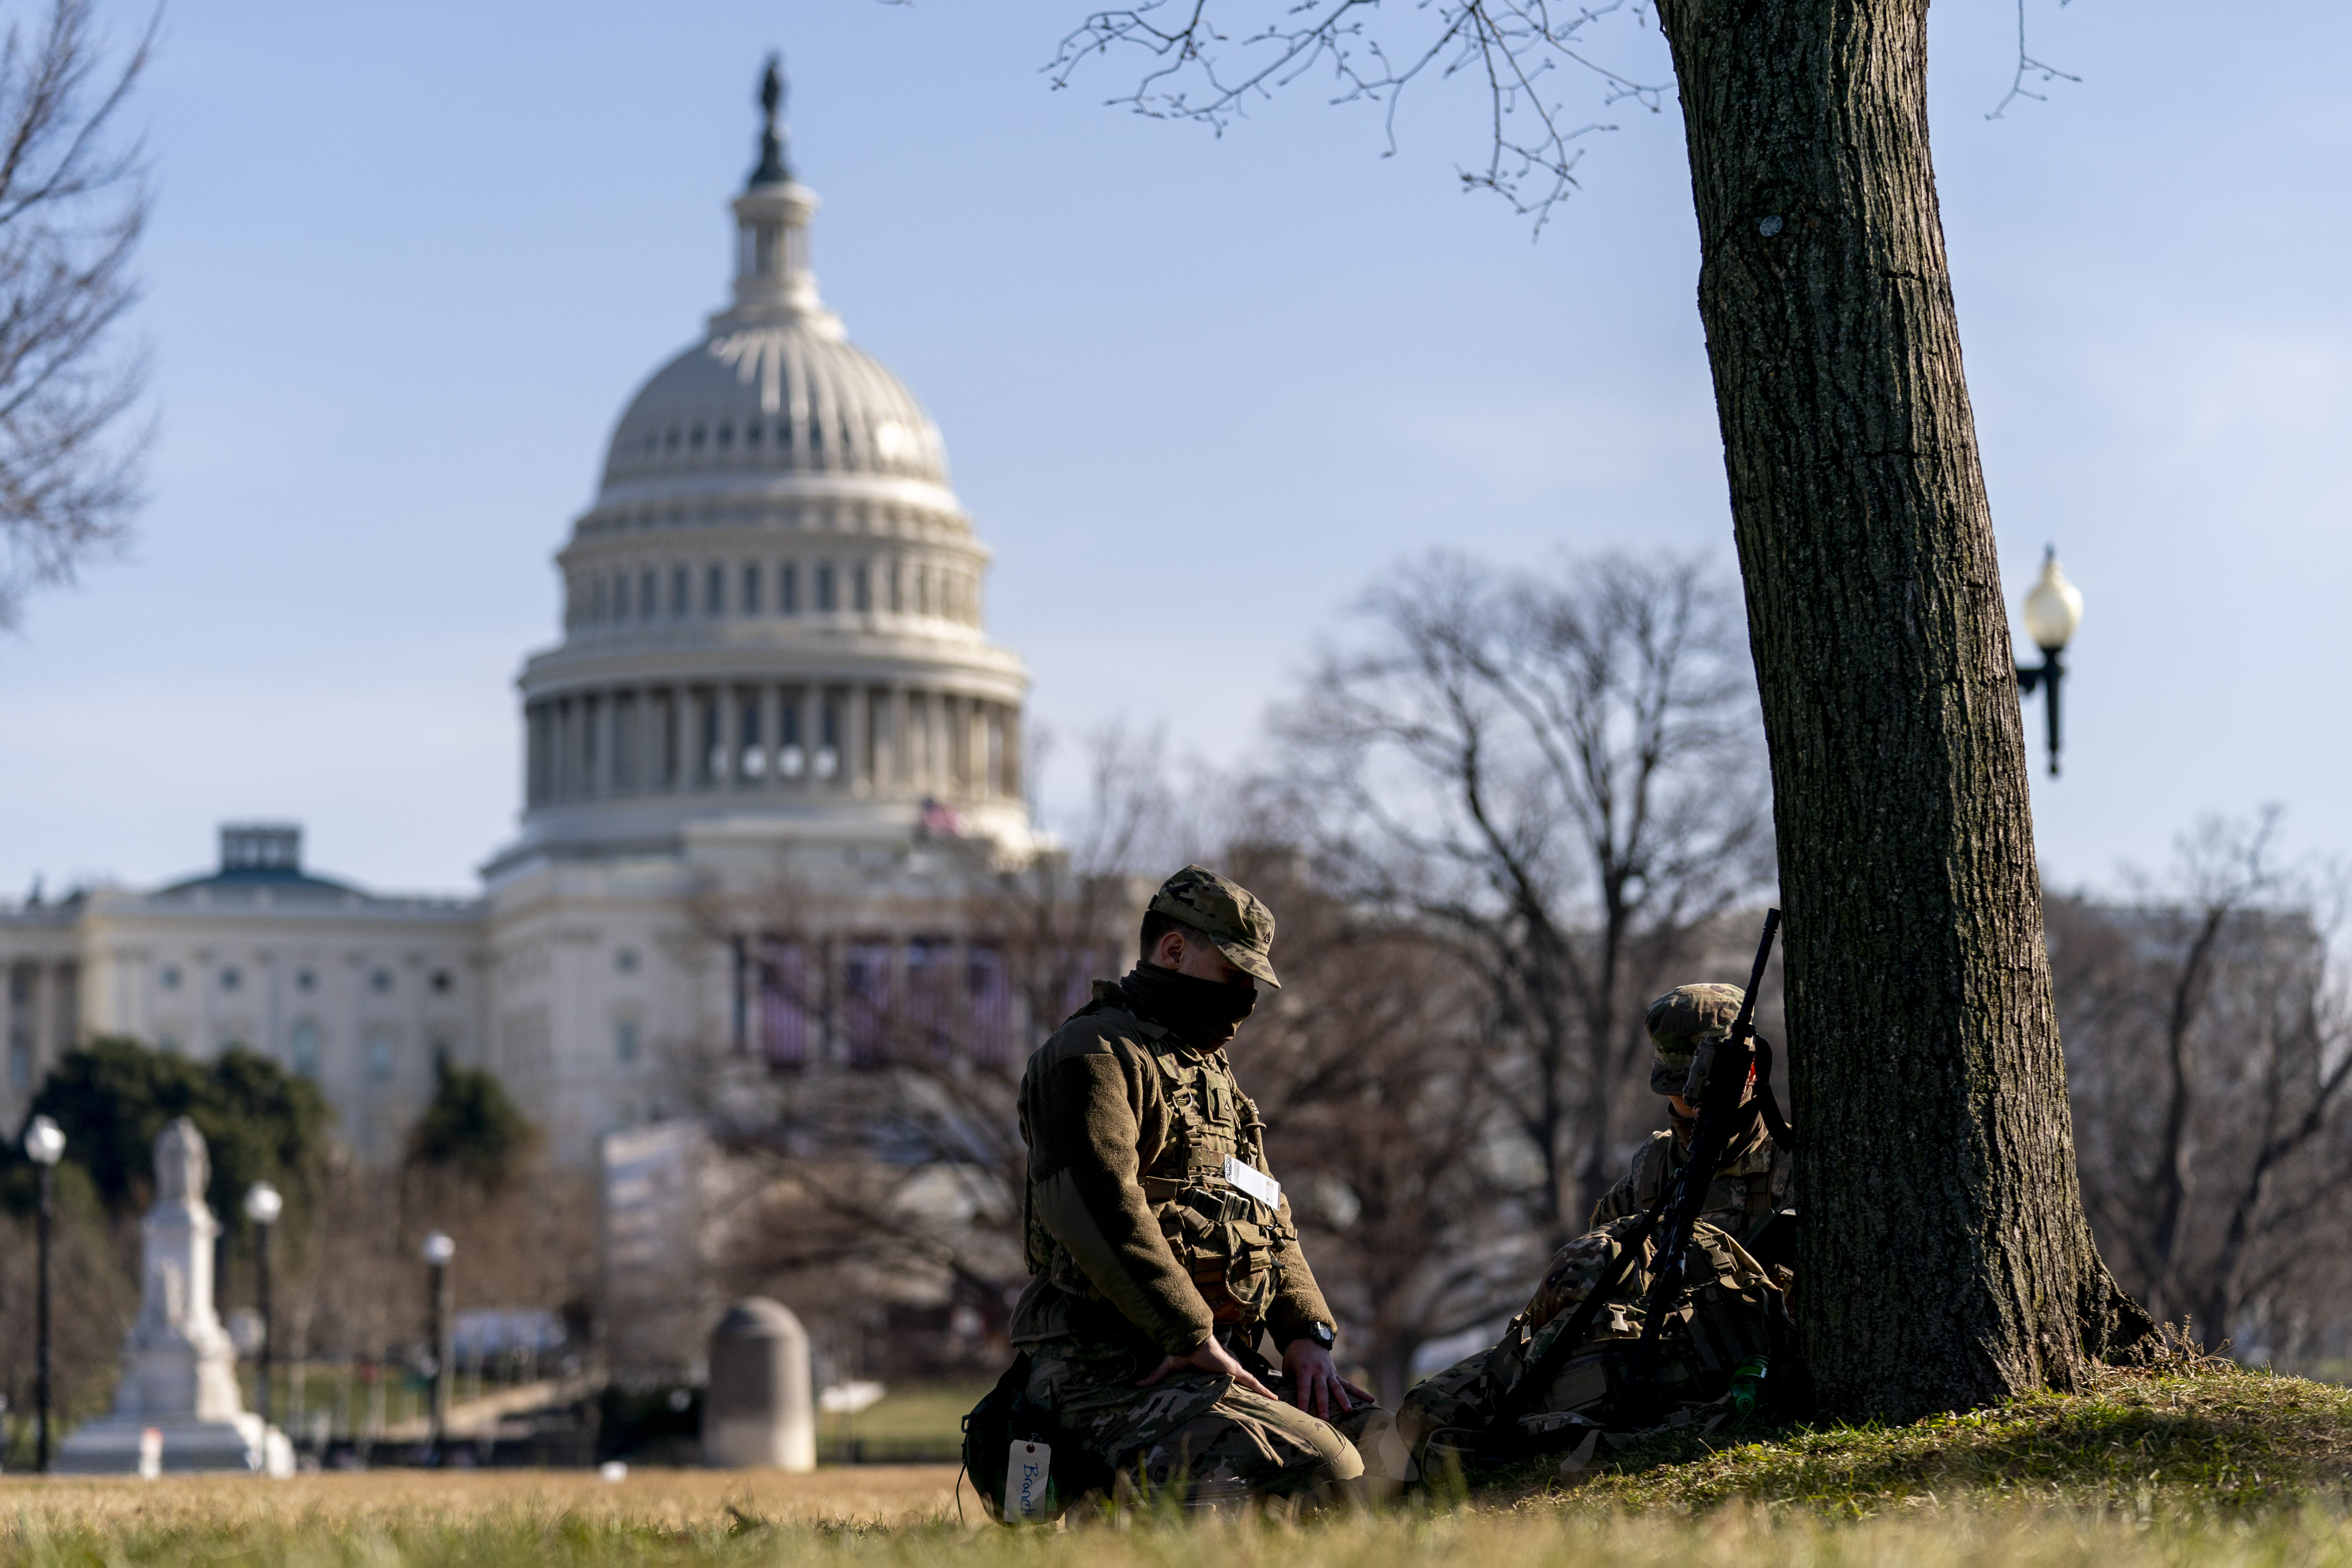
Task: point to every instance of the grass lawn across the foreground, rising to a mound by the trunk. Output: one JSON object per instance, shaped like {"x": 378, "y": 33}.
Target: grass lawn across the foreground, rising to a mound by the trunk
{"x": 2151, "y": 1470}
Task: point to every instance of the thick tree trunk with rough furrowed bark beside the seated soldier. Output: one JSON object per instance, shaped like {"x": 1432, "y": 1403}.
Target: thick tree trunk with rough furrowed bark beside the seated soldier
{"x": 1946, "y": 1252}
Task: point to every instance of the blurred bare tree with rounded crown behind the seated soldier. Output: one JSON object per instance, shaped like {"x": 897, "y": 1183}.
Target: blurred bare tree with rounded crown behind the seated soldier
{"x": 1561, "y": 779}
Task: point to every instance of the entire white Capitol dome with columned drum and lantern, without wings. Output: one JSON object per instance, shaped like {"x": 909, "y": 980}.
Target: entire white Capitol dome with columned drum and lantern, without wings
{"x": 775, "y": 605}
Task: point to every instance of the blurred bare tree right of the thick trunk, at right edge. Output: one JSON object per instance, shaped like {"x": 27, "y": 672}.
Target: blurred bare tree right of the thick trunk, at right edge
{"x": 2210, "y": 1059}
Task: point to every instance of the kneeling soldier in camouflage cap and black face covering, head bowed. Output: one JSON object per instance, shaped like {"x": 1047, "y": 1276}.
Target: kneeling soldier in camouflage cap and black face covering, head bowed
{"x": 1161, "y": 1247}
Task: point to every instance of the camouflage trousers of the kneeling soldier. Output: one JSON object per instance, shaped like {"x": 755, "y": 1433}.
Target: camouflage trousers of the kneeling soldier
{"x": 1203, "y": 1440}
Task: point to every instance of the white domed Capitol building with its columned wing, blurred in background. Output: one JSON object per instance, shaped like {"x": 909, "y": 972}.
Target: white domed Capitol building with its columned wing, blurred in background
{"x": 773, "y": 685}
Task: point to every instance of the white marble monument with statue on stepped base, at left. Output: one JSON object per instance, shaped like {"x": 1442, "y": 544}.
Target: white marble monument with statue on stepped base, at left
{"x": 180, "y": 1372}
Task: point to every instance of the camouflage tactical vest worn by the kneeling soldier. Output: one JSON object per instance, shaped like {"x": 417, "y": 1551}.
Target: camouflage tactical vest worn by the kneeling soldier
{"x": 1227, "y": 1240}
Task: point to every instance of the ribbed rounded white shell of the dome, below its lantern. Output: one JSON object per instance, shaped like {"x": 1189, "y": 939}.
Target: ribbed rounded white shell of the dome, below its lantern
{"x": 775, "y": 396}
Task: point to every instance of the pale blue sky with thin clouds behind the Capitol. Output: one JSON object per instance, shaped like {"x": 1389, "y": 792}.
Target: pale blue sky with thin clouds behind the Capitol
{"x": 410, "y": 262}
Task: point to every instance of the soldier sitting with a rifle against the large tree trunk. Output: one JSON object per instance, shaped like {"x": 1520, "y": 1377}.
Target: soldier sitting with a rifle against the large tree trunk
{"x": 1725, "y": 1308}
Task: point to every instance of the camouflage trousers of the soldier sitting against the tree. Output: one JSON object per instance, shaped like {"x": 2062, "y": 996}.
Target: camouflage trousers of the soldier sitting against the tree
{"x": 1716, "y": 1325}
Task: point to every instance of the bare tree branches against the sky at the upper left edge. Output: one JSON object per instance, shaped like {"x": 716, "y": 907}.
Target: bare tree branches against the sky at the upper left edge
{"x": 72, "y": 210}
